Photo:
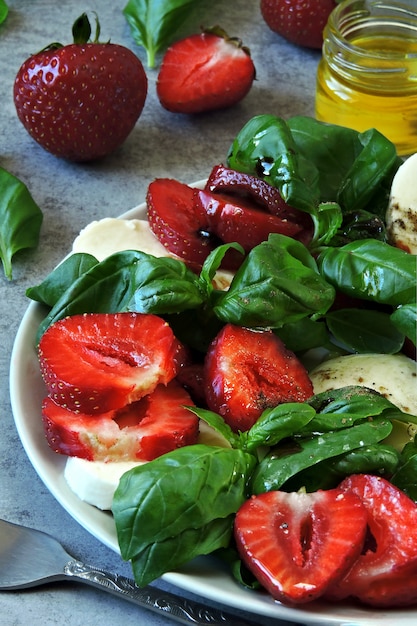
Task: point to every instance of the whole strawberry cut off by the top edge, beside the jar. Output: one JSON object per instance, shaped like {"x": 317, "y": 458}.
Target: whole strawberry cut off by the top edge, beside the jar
{"x": 300, "y": 21}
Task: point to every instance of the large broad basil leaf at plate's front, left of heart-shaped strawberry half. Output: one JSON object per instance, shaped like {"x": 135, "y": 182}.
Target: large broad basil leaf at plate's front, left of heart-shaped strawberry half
{"x": 186, "y": 498}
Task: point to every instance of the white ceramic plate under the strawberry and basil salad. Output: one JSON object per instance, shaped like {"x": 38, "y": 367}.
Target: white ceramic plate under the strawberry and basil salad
{"x": 204, "y": 576}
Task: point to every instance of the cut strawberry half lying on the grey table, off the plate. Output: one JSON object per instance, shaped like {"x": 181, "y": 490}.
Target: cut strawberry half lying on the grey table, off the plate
{"x": 204, "y": 72}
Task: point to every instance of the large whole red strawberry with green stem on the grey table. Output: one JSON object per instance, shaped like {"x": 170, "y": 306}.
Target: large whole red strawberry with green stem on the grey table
{"x": 80, "y": 101}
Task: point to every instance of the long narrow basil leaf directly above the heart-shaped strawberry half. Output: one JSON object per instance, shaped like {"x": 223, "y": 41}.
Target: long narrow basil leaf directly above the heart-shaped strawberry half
{"x": 282, "y": 464}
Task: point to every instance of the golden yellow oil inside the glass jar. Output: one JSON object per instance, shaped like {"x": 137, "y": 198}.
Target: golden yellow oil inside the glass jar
{"x": 372, "y": 83}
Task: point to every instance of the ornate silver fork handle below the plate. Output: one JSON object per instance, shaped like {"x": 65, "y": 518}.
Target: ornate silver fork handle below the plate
{"x": 179, "y": 609}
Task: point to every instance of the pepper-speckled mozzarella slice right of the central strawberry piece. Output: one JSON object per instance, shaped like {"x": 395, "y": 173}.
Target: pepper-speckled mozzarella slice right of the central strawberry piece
{"x": 394, "y": 376}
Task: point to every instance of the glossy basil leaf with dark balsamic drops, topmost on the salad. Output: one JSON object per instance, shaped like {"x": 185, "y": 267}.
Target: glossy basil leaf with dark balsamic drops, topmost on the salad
{"x": 265, "y": 147}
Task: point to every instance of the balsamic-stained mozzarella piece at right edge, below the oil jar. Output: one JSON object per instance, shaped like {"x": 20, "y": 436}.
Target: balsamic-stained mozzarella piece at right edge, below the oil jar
{"x": 401, "y": 216}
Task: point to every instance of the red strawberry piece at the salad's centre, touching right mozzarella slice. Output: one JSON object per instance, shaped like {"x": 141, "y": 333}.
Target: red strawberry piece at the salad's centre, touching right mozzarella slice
{"x": 247, "y": 371}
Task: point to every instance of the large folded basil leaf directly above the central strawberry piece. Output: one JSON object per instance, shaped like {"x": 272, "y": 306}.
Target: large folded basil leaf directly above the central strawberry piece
{"x": 277, "y": 283}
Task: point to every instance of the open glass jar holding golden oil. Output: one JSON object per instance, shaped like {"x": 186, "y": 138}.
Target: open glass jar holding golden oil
{"x": 367, "y": 77}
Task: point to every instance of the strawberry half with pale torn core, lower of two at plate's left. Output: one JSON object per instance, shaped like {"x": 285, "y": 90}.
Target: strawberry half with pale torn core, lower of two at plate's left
{"x": 141, "y": 431}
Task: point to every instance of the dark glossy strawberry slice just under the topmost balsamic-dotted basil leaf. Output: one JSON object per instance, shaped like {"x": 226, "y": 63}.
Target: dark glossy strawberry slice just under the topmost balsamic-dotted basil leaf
{"x": 228, "y": 181}
